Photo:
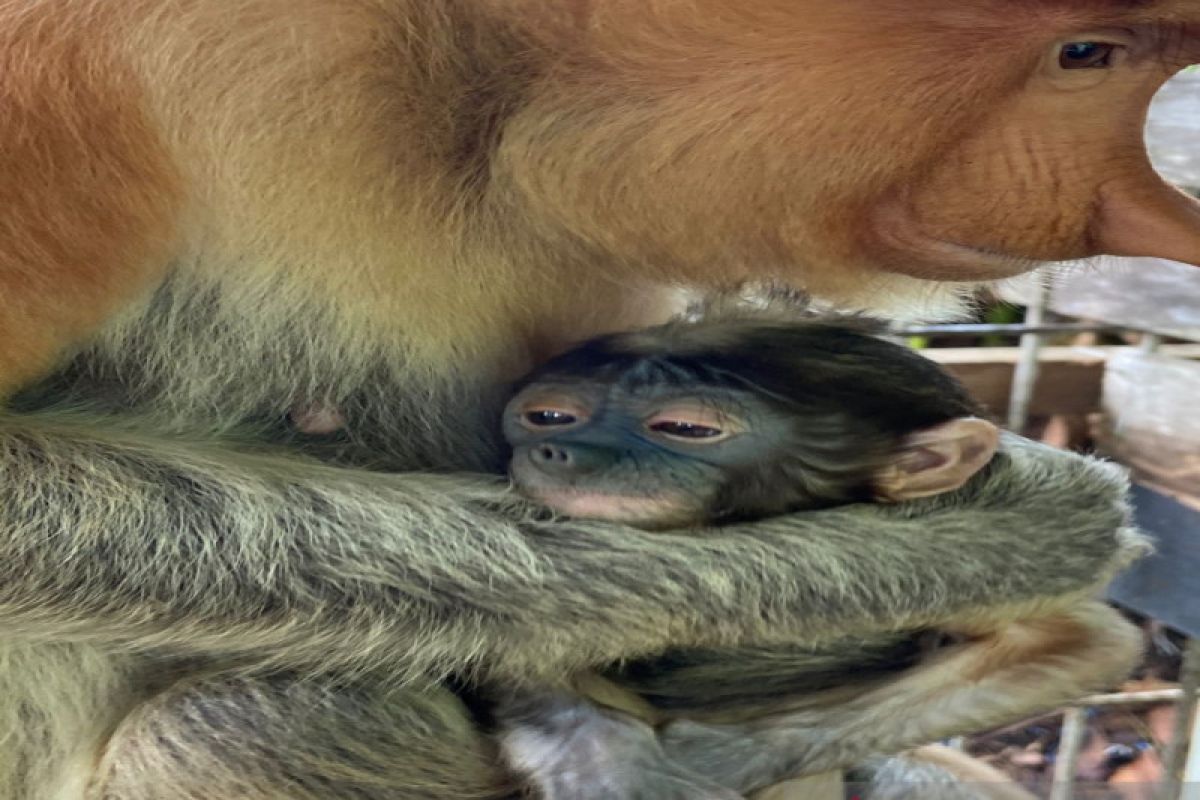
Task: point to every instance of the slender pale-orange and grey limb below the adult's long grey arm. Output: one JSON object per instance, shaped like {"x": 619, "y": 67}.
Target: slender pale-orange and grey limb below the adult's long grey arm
{"x": 1012, "y": 671}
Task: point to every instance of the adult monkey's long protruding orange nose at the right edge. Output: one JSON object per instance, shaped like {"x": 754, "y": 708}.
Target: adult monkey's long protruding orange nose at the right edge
{"x": 1147, "y": 216}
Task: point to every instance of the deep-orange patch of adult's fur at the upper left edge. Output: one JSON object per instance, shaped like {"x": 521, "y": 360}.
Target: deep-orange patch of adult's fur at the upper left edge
{"x": 88, "y": 191}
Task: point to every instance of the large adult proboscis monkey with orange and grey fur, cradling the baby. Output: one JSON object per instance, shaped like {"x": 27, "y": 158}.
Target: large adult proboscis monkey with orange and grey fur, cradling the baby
{"x": 215, "y": 212}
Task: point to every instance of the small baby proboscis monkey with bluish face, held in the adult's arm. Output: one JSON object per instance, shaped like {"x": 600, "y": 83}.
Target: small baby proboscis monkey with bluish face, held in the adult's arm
{"x": 699, "y": 424}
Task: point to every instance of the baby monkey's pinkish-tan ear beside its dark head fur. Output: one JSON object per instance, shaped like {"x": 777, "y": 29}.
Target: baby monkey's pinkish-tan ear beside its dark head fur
{"x": 938, "y": 460}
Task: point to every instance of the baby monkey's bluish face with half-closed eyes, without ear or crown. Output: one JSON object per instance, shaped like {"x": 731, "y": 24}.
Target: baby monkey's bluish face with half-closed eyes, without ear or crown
{"x": 651, "y": 458}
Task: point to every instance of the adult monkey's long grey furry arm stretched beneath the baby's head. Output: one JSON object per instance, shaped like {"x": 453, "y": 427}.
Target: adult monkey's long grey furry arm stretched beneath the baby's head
{"x": 113, "y": 537}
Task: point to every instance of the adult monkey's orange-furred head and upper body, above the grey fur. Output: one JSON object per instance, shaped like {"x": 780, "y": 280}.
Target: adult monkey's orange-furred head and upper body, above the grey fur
{"x": 404, "y": 160}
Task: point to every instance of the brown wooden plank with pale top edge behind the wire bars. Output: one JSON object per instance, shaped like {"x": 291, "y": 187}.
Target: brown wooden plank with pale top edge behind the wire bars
{"x": 1070, "y": 381}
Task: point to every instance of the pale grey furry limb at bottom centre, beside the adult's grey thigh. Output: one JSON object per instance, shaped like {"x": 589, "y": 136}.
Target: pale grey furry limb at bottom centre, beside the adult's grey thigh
{"x": 571, "y": 749}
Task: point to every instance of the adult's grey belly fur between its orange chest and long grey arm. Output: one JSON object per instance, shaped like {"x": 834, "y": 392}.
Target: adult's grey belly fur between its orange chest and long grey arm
{"x": 201, "y": 362}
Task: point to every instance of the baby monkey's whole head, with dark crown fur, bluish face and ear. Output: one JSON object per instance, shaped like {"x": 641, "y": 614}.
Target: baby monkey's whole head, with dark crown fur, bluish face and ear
{"x": 721, "y": 420}
